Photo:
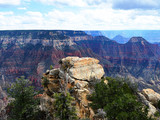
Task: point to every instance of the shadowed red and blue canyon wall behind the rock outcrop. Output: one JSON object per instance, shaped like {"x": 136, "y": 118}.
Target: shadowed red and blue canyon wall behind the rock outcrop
{"x": 31, "y": 52}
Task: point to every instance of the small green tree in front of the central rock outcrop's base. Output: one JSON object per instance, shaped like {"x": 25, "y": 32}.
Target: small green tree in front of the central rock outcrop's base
{"x": 63, "y": 108}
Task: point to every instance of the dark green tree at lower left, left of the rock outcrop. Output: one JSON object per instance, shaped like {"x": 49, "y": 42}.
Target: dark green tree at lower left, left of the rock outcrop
{"x": 25, "y": 106}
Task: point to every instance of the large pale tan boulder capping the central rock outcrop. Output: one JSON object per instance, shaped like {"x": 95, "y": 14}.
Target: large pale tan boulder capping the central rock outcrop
{"x": 83, "y": 68}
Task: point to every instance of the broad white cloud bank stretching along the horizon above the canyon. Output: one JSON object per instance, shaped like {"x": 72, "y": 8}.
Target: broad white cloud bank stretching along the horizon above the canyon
{"x": 83, "y": 19}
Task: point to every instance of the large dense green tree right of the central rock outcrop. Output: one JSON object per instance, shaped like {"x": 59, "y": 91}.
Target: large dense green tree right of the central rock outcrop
{"x": 118, "y": 100}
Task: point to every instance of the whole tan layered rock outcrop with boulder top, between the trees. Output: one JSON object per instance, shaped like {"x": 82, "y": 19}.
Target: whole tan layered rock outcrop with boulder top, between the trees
{"x": 77, "y": 76}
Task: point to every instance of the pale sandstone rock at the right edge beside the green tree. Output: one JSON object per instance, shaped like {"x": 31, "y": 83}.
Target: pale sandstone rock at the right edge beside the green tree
{"x": 151, "y": 96}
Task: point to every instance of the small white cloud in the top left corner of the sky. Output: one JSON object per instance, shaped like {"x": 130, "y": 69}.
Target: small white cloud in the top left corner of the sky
{"x": 10, "y": 2}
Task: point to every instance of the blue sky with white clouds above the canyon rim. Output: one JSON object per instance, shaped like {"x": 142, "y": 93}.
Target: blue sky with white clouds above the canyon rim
{"x": 80, "y": 14}
